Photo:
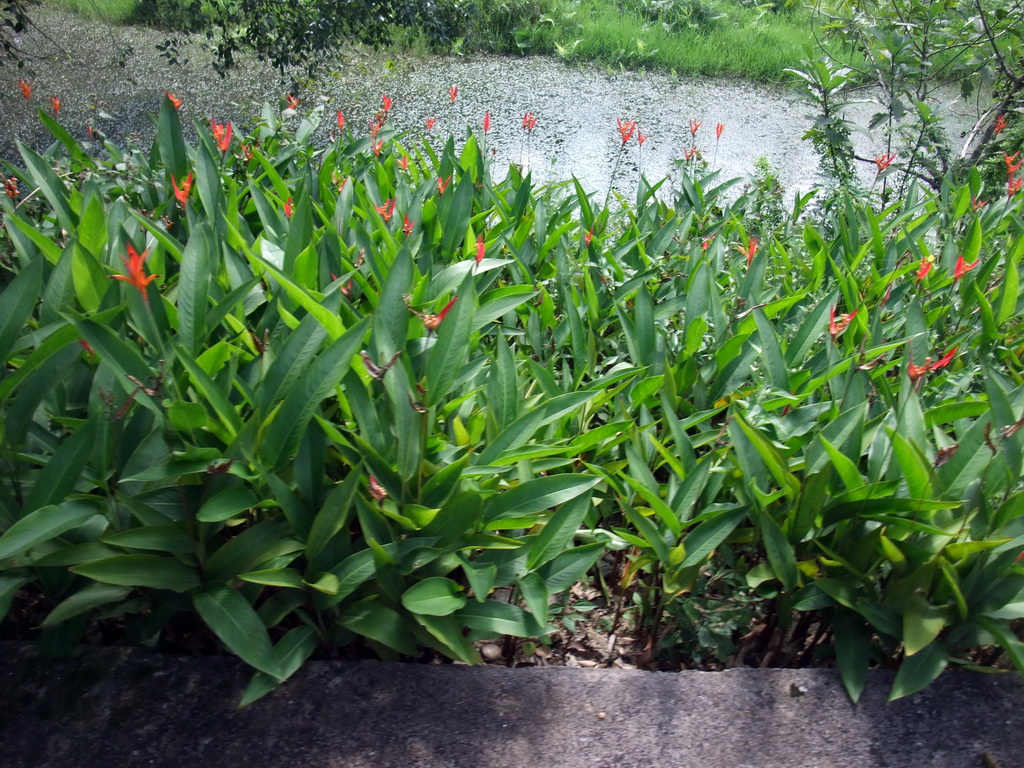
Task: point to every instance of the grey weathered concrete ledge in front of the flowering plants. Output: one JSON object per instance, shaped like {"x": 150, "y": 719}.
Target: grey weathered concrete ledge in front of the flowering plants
{"x": 117, "y": 708}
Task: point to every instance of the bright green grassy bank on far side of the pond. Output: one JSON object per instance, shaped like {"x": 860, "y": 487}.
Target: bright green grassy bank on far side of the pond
{"x": 689, "y": 37}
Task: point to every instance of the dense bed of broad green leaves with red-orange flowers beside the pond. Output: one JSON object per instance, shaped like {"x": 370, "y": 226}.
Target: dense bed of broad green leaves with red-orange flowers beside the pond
{"x": 371, "y": 396}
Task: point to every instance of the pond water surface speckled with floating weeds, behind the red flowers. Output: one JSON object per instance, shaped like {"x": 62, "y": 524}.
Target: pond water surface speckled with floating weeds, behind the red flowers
{"x": 577, "y": 109}
